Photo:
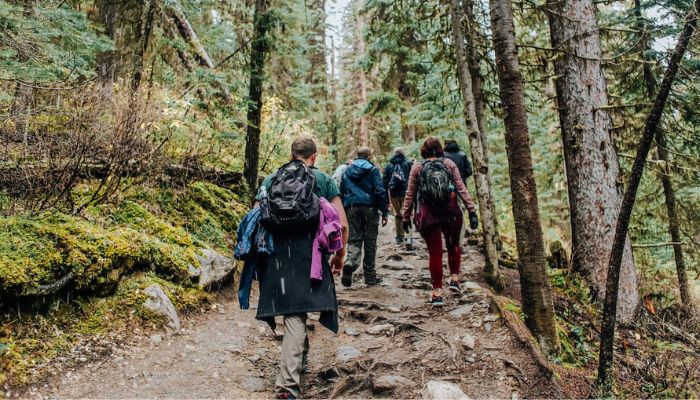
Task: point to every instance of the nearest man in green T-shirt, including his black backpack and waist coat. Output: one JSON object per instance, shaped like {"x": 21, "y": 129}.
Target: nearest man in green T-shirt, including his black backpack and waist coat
{"x": 292, "y": 207}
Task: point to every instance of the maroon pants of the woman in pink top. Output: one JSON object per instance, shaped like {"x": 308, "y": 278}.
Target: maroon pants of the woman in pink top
{"x": 450, "y": 229}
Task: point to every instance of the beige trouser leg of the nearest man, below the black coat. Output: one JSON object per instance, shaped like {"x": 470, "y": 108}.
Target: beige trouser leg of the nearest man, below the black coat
{"x": 288, "y": 379}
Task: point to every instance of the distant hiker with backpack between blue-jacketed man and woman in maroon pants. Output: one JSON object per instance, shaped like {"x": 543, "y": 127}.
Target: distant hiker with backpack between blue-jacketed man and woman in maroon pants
{"x": 396, "y": 182}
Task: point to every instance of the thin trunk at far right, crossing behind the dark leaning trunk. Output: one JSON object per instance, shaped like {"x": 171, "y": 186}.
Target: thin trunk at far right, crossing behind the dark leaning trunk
{"x": 669, "y": 192}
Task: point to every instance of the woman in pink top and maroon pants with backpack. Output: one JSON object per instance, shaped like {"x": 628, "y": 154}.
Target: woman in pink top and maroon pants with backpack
{"x": 433, "y": 187}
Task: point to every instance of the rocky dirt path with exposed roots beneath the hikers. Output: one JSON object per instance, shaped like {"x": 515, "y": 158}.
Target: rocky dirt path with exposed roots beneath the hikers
{"x": 387, "y": 333}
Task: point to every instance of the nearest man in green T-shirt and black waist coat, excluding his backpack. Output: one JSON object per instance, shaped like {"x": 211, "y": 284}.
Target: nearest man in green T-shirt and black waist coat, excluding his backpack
{"x": 285, "y": 286}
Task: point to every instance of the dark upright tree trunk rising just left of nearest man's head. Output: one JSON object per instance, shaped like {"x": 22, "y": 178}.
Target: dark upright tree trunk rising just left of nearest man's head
{"x": 257, "y": 69}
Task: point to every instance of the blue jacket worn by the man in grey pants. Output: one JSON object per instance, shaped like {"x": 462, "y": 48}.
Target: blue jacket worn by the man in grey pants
{"x": 362, "y": 184}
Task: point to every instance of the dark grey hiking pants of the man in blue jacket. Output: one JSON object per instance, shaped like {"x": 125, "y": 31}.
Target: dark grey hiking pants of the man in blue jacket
{"x": 364, "y": 229}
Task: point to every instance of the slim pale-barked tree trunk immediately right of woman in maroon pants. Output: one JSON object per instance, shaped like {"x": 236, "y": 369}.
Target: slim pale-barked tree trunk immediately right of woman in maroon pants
{"x": 480, "y": 166}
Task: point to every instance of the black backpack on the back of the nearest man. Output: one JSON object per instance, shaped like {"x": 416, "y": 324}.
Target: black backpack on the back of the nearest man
{"x": 291, "y": 204}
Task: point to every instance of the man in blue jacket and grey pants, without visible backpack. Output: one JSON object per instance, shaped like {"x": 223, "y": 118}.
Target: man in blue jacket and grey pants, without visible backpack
{"x": 364, "y": 197}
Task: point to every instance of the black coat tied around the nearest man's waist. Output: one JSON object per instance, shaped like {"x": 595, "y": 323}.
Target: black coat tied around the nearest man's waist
{"x": 286, "y": 286}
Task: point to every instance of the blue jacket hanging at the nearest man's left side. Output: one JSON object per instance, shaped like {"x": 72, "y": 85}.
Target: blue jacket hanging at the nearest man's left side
{"x": 253, "y": 244}
